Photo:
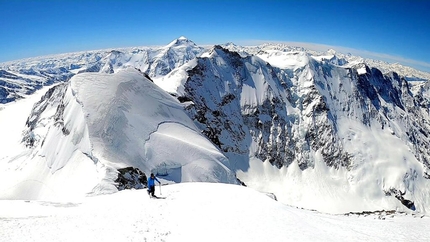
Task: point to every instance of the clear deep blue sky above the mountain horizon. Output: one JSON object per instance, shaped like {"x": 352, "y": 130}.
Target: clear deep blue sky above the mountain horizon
{"x": 393, "y": 30}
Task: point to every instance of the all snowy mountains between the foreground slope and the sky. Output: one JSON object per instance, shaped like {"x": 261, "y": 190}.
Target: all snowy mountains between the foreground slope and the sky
{"x": 307, "y": 126}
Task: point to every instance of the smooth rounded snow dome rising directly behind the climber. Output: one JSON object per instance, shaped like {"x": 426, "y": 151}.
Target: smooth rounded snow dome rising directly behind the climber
{"x": 132, "y": 122}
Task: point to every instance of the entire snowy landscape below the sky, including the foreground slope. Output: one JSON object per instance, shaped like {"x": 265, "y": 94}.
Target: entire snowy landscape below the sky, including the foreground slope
{"x": 342, "y": 148}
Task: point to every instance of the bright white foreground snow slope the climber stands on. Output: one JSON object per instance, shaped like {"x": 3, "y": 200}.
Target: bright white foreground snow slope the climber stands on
{"x": 197, "y": 212}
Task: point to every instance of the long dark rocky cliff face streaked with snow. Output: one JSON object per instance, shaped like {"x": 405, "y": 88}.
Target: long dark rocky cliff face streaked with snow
{"x": 290, "y": 121}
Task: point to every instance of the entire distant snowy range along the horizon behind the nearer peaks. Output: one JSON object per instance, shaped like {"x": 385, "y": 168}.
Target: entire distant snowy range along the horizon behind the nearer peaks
{"x": 23, "y": 77}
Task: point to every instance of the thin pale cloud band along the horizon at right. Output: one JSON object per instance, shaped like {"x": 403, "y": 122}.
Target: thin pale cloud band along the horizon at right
{"x": 421, "y": 65}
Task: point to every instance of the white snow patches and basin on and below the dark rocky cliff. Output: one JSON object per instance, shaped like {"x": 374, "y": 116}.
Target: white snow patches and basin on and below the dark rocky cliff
{"x": 381, "y": 160}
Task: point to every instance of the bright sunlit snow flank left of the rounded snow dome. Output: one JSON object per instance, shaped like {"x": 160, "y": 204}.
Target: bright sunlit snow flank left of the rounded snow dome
{"x": 41, "y": 173}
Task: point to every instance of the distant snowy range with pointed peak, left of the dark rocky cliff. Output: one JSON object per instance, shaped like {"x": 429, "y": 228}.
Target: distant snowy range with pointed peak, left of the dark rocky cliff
{"x": 23, "y": 77}
